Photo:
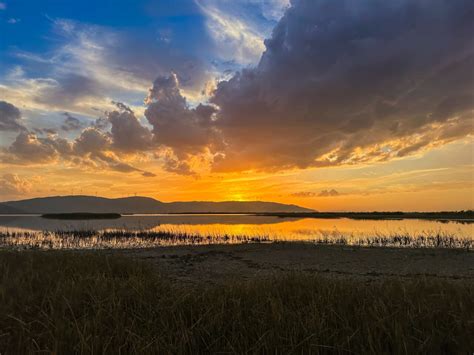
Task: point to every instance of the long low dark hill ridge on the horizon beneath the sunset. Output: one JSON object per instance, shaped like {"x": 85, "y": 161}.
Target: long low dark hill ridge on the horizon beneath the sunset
{"x": 91, "y": 204}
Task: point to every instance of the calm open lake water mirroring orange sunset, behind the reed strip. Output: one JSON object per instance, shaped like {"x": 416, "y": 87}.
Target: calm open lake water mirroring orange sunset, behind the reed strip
{"x": 32, "y": 229}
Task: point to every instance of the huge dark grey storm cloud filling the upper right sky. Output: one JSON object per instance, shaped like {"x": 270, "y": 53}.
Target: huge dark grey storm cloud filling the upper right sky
{"x": 340, "y": 82}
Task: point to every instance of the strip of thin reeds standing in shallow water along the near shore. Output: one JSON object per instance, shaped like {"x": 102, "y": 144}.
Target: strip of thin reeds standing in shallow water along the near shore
{"x": 119, "y": 239}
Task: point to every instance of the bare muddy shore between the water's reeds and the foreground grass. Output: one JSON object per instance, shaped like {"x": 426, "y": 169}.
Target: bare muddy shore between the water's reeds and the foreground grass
{"x": 215, "y": 263}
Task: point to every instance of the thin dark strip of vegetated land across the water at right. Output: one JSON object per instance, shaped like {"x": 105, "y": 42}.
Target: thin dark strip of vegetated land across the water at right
{"x": 466, "y": 216}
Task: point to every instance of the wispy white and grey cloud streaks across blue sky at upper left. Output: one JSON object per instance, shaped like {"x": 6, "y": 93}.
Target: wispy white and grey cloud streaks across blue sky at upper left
{"x": 92, "y": 66}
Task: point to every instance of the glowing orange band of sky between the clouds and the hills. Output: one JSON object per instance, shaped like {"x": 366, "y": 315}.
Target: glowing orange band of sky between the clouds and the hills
{"x": 440, "y": 180}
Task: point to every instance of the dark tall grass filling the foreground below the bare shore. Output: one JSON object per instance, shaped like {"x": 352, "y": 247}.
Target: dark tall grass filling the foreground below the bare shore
{"x": 67, "y": 302}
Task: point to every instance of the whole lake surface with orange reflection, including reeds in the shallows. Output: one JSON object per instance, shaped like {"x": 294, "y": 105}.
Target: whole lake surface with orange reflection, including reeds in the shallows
{"x": 152, "y": 231}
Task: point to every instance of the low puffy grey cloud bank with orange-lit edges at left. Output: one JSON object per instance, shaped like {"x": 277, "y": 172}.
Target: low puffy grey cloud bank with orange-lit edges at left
{"x": 92, "y": 148}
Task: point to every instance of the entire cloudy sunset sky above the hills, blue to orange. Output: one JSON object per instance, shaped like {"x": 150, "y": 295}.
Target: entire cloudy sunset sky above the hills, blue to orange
{"x": 329, "y": 104}
